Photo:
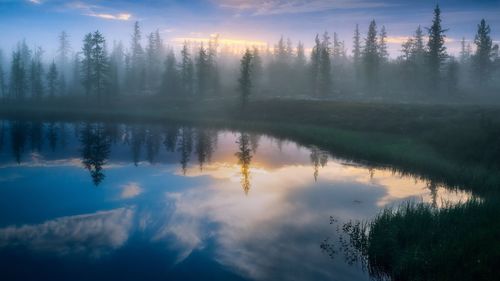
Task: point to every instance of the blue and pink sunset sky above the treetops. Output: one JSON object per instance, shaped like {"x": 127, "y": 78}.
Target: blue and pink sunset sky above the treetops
{"x": 265, "y": 21}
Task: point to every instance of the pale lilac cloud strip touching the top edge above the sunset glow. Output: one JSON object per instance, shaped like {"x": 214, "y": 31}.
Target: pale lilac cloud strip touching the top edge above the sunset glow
{"x": 274, "y": 7}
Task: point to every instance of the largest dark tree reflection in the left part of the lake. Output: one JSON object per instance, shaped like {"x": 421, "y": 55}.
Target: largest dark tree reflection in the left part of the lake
{"x": 95, "y": 149}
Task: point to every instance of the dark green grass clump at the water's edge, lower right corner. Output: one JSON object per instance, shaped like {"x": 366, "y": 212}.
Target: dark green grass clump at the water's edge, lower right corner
{"x": 419, "y": 242}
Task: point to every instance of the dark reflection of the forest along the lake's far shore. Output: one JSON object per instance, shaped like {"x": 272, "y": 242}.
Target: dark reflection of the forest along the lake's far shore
{"x": 144, "y": 142}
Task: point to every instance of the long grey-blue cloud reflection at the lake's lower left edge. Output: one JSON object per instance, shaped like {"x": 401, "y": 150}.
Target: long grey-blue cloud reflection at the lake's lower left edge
{"x": 90, "y": 234}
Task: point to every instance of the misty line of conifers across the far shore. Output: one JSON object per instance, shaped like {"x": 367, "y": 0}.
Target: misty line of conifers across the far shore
{"x": 424, "y": 68}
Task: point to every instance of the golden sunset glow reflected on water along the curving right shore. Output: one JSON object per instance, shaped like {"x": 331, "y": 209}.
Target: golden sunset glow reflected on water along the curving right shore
{"x": 284, "y": 166}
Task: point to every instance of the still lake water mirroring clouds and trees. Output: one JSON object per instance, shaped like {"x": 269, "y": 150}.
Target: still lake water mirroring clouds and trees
{"x": 101, "y": 201}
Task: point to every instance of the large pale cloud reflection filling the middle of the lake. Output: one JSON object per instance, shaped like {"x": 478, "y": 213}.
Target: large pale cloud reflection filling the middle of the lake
{"x": 275, "y": 232}
